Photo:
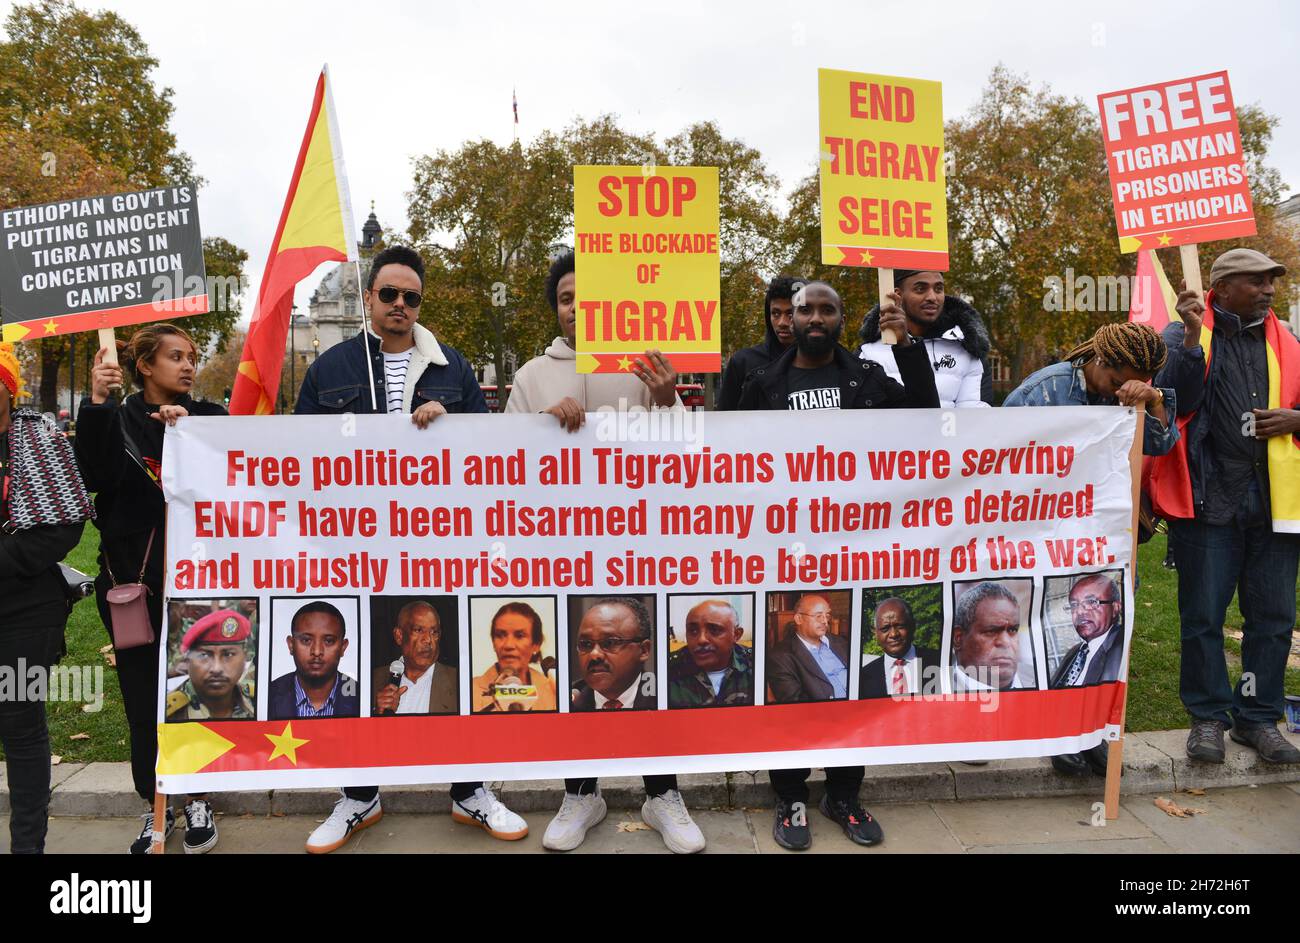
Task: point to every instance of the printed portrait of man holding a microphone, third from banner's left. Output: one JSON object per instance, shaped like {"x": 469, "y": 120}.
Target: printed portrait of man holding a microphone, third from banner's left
{"x": 426, "y": 686}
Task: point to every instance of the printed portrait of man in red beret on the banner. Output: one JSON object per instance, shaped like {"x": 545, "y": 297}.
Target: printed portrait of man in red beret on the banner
{"x": 216, "y": 656}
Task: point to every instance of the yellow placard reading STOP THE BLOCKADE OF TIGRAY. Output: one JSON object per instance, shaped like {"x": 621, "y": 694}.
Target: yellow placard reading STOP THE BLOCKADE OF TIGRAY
{"x": 648, "y": 267}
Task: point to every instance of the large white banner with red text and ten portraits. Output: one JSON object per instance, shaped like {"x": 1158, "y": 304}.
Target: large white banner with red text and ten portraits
{"x": 310, "y": 550}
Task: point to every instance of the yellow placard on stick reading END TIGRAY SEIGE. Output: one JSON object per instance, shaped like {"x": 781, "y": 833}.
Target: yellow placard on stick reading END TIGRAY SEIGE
{"x": 882, "y": 171}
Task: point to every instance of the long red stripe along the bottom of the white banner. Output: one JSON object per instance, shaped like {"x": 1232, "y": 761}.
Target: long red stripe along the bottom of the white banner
{"x": 358, "y": 743}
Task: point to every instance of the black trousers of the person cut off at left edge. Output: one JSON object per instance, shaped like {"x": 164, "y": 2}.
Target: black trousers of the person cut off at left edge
{"x": 25, "y": 738}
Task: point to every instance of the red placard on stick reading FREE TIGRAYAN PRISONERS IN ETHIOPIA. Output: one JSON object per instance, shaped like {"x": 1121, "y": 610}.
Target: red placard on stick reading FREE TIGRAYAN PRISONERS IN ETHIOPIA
{"x": 1177, "y": 170}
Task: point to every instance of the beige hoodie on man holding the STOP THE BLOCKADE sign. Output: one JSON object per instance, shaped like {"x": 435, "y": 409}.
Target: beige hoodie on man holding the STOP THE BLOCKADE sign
{"x": 545, "y": 380}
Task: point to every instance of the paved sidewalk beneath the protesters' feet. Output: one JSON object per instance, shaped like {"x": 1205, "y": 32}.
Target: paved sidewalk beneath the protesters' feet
{"x": 1249, "y": 819}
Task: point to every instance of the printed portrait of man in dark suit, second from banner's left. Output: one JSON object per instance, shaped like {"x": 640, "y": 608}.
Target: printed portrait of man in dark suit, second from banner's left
{"x": 315, "y": 687}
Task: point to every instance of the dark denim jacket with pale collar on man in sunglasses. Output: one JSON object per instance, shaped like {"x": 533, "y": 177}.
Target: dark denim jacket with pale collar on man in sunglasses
{"x": 339, "y": 380}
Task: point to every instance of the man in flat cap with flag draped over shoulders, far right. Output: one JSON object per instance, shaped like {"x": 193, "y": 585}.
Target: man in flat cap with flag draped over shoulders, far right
{"x": 1232, "y": 494}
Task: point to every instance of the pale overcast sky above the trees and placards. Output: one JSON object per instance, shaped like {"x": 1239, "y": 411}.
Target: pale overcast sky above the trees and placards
{"x": 411, "y": 79}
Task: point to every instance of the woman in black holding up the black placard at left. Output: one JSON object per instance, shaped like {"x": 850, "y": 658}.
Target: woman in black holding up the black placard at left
{"x": 120, "y": 448}
